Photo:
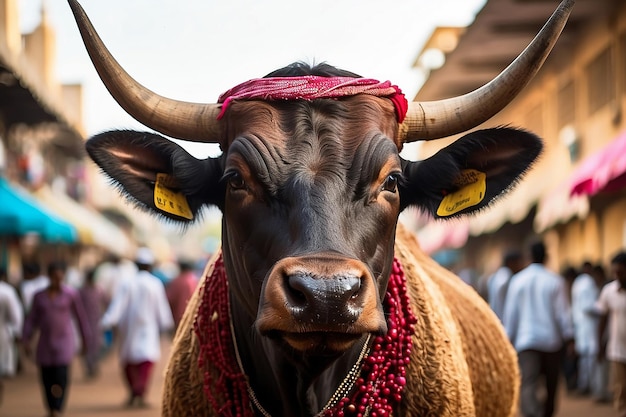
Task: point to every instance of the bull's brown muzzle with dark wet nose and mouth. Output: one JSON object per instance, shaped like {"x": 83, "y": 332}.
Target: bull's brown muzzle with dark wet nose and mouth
{"x": 320, "y": 302}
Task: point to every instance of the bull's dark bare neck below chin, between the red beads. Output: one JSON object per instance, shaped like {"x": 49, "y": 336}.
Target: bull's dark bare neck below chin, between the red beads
{"x": 282, "y": 388}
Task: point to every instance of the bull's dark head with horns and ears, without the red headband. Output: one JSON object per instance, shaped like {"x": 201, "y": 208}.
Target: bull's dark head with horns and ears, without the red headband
{"x": 311, "y": 191}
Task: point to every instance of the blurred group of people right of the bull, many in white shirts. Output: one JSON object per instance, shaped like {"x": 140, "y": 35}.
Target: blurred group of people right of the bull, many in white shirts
{"x": 568, "y": 326}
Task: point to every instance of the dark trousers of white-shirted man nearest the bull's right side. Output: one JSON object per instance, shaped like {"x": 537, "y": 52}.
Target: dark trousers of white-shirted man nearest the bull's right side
{"x": 539, "y": 369}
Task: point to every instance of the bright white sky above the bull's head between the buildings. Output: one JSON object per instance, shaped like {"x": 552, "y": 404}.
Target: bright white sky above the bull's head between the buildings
{"x": 194, "y": 50}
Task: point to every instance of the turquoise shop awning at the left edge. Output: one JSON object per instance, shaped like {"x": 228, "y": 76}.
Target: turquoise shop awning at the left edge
{"x": 20, "y": 214}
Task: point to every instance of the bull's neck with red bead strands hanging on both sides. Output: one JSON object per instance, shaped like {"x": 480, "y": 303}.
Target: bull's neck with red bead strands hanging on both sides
{"x": 284, "y": 383}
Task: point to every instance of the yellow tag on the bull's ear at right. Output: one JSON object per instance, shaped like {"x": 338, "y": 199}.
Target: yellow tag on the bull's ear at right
{"x": 472, "y": 191}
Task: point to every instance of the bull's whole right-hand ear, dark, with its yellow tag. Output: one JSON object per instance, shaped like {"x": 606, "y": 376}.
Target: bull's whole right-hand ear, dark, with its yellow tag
{"x": 469, "y": 174}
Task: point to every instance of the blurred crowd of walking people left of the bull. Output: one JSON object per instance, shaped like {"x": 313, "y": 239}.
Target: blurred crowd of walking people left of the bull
{"x": 54, "y": 313}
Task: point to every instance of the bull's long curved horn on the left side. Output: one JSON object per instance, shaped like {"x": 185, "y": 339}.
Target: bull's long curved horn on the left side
{"x": 179, "y": 119}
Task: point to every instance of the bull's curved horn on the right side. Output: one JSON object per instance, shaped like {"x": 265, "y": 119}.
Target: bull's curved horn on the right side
{"x": 438, "y": 119}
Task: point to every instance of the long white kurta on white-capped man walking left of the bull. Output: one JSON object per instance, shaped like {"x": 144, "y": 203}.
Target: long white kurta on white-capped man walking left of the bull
{"x": 141, "y": 312}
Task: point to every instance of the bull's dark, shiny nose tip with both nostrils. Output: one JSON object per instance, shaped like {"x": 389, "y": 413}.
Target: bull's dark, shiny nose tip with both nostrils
{"x": 324, "y": 300}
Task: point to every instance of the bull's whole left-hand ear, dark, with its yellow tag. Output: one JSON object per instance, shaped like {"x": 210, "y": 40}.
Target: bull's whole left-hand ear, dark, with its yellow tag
{"x": 156, "y": 174}
